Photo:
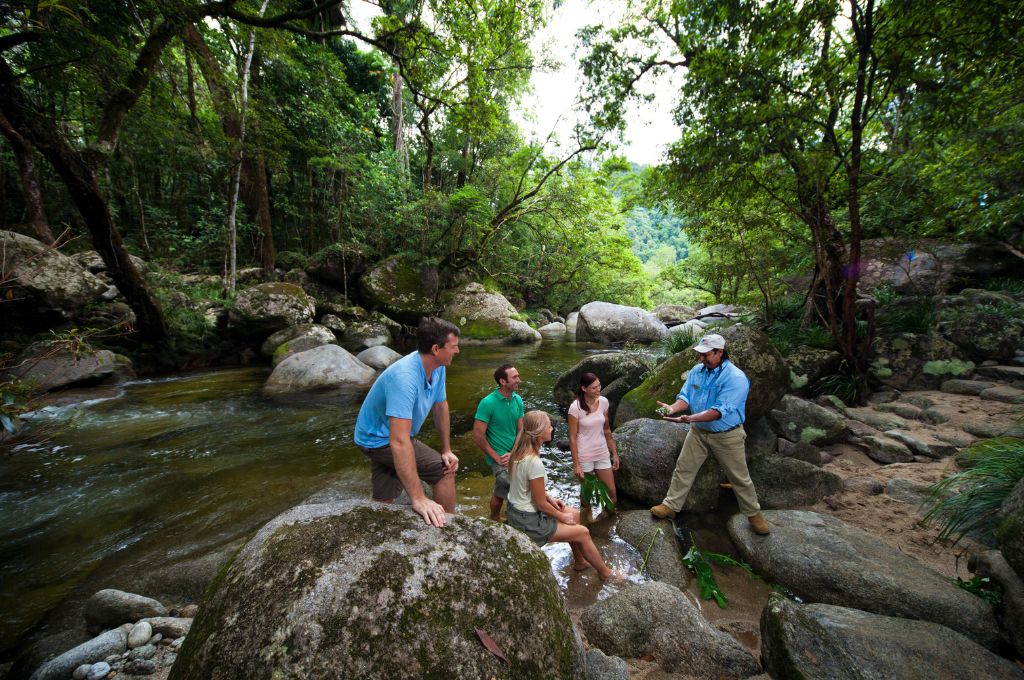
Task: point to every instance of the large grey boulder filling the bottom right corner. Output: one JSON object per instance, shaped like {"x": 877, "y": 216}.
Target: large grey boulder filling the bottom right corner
{"x": 828, "y": 642}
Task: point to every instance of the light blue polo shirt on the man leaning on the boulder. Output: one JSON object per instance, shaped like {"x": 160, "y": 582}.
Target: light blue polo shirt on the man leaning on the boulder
{"x": 402, "y": 392}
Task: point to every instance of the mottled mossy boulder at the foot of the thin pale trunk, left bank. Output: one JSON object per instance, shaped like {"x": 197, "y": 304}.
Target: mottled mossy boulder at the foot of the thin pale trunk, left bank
{"x": 269, "y": 308}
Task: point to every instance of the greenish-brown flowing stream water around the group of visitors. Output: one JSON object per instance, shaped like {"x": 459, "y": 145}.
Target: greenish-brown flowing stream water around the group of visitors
{"x": 146, "y": 478}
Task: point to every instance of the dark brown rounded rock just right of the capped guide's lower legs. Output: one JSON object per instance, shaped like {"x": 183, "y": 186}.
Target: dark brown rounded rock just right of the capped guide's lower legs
{"x": 787, "y": 483}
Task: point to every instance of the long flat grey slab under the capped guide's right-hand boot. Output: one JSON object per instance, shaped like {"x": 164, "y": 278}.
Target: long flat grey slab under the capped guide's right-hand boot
{"x": 837, "y": 564}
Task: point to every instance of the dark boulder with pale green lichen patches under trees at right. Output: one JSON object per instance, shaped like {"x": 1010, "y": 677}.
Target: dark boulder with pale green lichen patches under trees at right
{"x": 910, "y": 361}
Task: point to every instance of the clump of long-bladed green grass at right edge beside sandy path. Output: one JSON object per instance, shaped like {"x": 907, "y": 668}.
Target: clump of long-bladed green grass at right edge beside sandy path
{"x": 971, "y": 499}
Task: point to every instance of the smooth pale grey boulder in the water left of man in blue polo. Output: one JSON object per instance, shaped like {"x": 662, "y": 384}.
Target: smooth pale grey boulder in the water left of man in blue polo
{"x": 327, "y": 367}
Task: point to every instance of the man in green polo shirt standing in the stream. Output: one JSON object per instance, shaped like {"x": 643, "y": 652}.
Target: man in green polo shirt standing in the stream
{"x": 499, "y": 421}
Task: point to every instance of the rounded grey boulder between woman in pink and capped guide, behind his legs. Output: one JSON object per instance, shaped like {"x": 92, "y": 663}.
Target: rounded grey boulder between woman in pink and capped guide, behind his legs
{"x": 648, "y": 453}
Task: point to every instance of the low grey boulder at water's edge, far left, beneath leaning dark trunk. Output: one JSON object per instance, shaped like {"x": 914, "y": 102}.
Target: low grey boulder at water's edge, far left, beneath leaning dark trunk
{"x": 47, "y": 367}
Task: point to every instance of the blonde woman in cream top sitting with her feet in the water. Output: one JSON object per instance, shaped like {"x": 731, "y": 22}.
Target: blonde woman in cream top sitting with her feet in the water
{"x": 536, "y": 514}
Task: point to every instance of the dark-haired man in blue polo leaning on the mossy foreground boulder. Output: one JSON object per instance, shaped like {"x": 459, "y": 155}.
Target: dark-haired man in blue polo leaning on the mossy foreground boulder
{"x": 393, "y": 414}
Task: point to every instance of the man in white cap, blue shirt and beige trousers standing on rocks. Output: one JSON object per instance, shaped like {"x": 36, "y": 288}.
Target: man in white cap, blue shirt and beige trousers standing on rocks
{"x": 715, "y": 394}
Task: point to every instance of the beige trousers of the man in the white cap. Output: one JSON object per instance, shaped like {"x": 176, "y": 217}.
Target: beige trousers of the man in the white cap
{"x": 729, "y": 451}
